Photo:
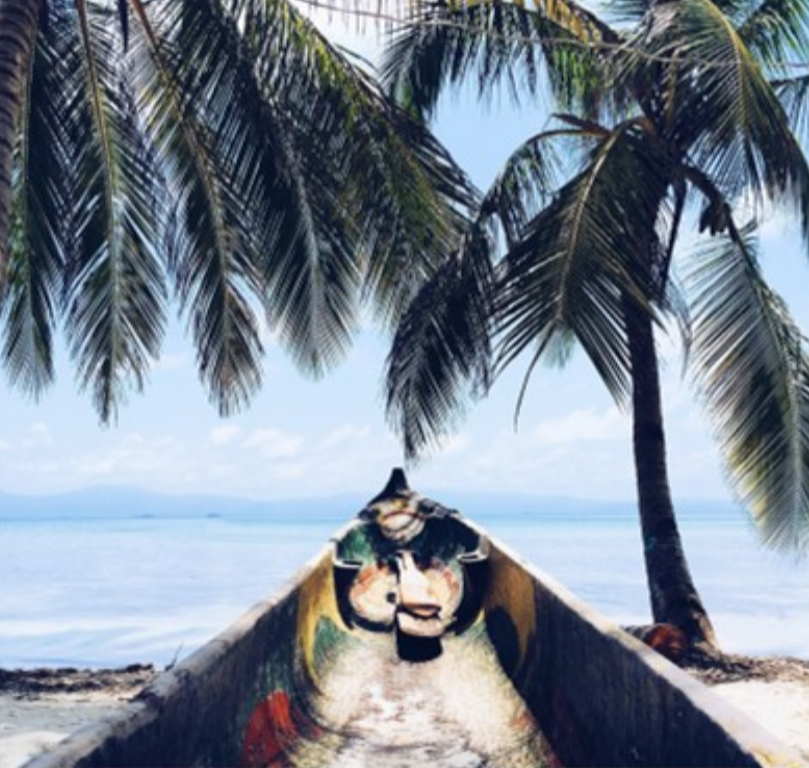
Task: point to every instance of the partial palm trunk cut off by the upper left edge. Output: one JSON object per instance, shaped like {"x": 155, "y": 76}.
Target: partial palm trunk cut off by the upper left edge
{"x": 19, "y": 22}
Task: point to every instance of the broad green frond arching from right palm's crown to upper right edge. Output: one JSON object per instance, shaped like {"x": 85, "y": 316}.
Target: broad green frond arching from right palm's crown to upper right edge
{"x": 717, "y": 104}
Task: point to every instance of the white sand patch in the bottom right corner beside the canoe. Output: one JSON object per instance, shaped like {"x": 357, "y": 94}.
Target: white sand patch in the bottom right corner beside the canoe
{"x": 781, "y": 707}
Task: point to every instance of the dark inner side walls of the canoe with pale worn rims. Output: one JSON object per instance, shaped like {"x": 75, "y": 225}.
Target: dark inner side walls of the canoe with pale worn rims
{"x": 600, "y": 697}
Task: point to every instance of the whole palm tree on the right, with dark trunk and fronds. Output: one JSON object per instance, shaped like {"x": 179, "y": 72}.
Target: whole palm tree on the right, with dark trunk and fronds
{"x": 671, "y": 119}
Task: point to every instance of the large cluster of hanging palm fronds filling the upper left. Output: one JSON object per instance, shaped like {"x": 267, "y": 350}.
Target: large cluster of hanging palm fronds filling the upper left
{"x": 218, "y": 151}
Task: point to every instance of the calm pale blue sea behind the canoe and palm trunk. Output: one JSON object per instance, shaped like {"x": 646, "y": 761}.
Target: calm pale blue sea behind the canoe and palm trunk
{"x": 96, "y": 592}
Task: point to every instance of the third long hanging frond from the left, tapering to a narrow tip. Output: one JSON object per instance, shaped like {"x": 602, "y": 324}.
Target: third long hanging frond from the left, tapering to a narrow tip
{"x": 205, "y": 124}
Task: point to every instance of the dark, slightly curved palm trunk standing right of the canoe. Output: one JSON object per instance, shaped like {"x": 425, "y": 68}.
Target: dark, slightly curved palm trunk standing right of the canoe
{"x": 674, "y": 598}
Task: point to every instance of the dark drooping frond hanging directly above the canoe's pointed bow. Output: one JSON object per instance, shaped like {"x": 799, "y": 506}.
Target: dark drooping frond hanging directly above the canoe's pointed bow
{"x": 440, "y": 354}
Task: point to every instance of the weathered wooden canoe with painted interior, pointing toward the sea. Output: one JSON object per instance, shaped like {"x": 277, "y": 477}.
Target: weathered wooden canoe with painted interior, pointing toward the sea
{"x": 416, "y": 639}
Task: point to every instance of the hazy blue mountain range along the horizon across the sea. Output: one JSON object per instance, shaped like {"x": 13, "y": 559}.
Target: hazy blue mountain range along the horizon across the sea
{"x": 122, "y": 502}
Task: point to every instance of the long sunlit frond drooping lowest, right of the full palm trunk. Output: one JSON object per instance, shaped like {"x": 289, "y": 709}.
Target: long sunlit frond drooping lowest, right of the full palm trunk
{"x": 753, "y": 369}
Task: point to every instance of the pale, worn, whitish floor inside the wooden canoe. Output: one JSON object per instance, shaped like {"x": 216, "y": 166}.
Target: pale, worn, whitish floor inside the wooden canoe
{"x": 456, "y": 711}
